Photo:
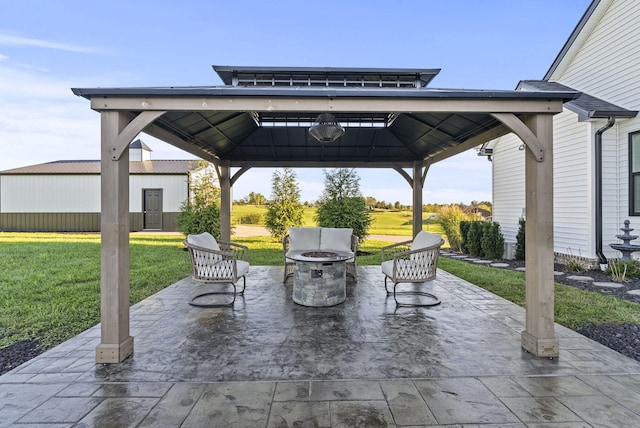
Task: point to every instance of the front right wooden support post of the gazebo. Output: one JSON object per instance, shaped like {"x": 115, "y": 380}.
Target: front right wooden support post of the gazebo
{"x": 538, "y": 338}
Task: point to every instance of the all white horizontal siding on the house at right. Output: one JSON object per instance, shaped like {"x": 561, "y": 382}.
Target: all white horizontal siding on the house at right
{"x": 605, "y": 63}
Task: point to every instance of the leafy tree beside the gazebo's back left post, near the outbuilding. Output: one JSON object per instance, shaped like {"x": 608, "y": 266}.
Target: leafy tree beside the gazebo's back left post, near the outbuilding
{"x": 201, "y": 213}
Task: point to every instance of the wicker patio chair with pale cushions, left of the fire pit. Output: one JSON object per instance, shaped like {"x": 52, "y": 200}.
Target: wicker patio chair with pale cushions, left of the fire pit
{"x": 217, "y": 262}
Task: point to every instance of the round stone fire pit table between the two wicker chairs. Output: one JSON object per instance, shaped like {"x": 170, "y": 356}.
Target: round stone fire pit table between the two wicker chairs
{"x": 319, "y": 277}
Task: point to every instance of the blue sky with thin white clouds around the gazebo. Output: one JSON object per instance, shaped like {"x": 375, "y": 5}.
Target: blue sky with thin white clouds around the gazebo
{"x": 48, "y": 47}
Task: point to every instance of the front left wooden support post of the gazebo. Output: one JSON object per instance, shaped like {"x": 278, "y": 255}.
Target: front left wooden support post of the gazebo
{"x": 116, "y": 343}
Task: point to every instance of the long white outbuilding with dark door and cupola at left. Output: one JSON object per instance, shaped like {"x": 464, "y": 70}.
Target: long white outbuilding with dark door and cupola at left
{"x": 65, "y": 195}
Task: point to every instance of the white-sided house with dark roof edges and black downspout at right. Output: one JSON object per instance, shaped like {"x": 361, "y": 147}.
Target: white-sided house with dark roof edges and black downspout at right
{"x": 601, "y": 60}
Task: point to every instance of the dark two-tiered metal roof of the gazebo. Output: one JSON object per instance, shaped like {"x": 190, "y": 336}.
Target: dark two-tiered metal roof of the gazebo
{"x": 261, "y": 116}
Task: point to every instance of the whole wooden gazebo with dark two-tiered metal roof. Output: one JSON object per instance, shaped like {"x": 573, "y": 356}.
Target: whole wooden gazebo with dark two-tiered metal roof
{"x": 261, "y": 117}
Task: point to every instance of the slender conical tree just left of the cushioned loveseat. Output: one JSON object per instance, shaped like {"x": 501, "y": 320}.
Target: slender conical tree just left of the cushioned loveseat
{"x": 284, "y": 210}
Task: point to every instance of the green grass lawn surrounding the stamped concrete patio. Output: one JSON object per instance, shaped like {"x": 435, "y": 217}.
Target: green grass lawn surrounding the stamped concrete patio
{"x": 50, "y": 282}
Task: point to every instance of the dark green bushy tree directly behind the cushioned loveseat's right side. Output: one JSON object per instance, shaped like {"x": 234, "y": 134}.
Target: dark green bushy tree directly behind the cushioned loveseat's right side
{"x": 341, "y": 203}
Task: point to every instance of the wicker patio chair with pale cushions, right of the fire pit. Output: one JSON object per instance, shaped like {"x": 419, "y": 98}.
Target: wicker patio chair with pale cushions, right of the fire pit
{"x": 415, "y": 262}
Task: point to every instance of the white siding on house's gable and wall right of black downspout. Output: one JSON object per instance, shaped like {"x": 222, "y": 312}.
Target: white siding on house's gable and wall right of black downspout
{"x": 614, "y": 40}
